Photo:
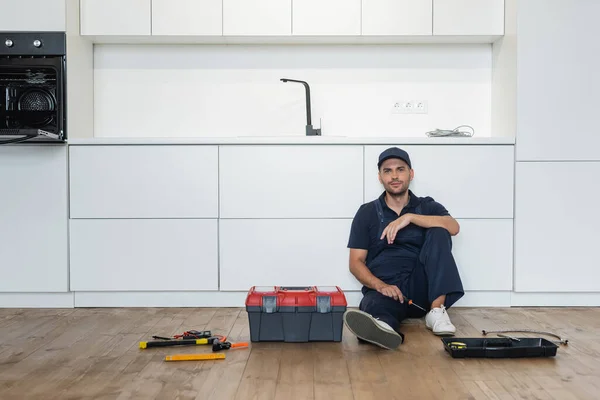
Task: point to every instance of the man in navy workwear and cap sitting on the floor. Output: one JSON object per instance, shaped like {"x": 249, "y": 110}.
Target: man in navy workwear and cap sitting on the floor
{"x": 400, "y": 249}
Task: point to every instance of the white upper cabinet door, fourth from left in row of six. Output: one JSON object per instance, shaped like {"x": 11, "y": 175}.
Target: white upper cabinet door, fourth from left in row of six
{"x": 326, "y": 17}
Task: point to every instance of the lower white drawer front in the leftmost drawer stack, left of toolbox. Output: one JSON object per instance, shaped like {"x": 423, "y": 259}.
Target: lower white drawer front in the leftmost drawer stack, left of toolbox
{"x": 143, "y": 255}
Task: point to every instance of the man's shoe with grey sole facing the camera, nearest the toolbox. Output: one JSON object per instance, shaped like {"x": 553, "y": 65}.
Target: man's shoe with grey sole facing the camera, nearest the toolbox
{"x": 364, "y": 326}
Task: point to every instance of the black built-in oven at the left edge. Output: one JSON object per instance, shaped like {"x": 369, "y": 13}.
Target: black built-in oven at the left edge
{"x": 32, "y": 87}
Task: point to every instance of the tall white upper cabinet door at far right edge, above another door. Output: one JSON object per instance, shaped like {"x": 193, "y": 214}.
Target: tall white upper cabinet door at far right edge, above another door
{"x": 558, "y": 81}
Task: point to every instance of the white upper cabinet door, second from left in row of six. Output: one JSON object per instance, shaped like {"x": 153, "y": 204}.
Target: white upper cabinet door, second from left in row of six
{"x": 187, "y": 17}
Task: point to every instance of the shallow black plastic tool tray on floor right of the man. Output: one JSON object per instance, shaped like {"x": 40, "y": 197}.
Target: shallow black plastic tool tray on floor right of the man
{"x": 500, "y": 347}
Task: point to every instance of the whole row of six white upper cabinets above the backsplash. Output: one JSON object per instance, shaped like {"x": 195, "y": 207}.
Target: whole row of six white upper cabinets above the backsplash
{"x": 262, "y": 21}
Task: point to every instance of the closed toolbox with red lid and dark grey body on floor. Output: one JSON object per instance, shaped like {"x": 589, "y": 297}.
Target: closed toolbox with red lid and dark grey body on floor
{"x": 295, "y": 314}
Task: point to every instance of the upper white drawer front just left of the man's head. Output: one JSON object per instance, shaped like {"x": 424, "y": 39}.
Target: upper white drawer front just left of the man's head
{"x": 278, "y": 181}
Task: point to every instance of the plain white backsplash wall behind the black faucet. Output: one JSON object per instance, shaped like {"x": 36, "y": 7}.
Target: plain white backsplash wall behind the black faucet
{"x": 187, "y": 90}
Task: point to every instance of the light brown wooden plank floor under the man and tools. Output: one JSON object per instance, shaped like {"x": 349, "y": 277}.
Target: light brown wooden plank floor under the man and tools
{"x": 94, "y": 353}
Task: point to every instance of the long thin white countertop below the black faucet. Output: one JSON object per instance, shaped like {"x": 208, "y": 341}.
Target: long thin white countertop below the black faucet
{"x": 295, "y": 140}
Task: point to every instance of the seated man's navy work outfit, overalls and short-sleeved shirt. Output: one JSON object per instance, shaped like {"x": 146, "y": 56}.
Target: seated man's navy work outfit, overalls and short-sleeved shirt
{"x": 419, "y": 262}
